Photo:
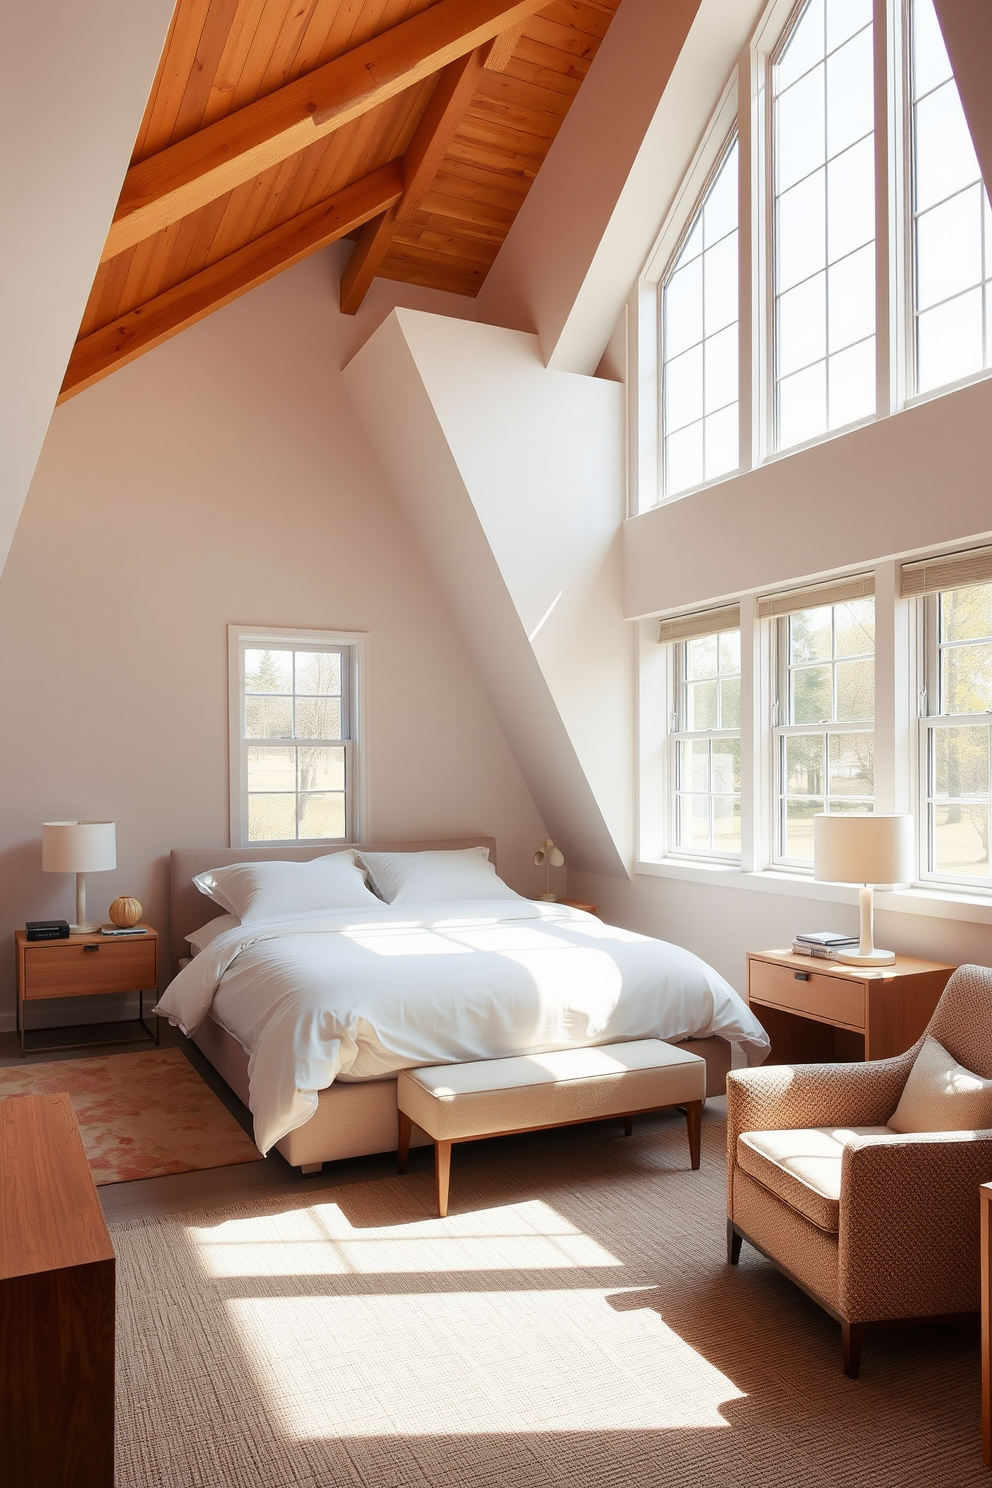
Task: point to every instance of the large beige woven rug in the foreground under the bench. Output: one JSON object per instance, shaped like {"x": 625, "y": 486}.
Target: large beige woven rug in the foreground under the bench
{"x": 572, "y": 1324}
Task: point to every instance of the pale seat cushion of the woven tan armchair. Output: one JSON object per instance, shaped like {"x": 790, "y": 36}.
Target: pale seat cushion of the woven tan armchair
{"x": 804, "y": 1167}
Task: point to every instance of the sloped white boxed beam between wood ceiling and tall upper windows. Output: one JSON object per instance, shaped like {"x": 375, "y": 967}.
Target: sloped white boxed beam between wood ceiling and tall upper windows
{"x": 612, "y": 175}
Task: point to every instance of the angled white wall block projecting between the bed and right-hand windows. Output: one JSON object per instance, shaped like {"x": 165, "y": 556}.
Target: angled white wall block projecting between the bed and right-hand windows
{"x": 512, "y": 477}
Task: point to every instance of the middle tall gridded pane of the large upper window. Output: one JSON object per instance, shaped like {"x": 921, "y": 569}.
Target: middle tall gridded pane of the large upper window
{"x": 825, "y": 315}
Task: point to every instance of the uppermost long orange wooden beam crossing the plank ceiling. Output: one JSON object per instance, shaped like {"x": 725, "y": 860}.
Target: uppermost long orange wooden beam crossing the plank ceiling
{"x": 194, "y": 172}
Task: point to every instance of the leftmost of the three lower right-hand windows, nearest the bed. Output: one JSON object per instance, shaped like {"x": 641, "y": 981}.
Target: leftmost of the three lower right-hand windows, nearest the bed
{"x": 706, "y": 734}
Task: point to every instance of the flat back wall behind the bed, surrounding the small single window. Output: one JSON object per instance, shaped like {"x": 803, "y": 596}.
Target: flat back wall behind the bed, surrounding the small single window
{"x": 222, "y": 478}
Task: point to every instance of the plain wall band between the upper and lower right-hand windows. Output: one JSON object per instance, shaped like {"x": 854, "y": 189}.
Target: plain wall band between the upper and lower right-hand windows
{"x": 912, "y": 481}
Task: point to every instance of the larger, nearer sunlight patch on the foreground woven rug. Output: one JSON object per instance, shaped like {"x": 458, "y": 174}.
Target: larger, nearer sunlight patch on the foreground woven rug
{"x": 431, "y": 1364}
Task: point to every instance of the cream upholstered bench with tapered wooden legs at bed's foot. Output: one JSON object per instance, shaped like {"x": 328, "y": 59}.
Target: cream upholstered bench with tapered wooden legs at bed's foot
{"x": 497, "y": 1097}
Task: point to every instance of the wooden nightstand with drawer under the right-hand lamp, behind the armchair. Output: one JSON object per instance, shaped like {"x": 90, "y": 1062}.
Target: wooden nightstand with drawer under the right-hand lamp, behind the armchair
{"x": 822, "y": 1011}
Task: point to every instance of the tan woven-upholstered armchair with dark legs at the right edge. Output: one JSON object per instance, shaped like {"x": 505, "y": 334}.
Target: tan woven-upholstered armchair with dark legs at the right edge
{"x": 877, "y": 1227}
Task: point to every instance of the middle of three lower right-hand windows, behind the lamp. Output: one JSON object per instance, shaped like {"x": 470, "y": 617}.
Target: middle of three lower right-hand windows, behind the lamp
{"x": 825, "y": 709}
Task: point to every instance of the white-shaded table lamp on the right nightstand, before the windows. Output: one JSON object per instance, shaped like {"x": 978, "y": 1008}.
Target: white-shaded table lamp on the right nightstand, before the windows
{"x": 865, "y": 850}
